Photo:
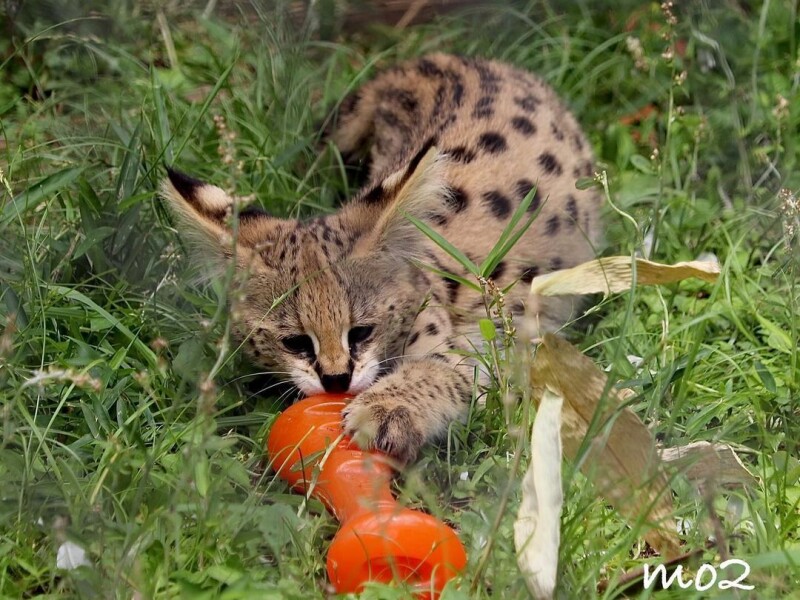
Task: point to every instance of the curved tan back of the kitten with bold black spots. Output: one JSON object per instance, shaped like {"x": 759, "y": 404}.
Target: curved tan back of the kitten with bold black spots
{"x": 505, "y": 132}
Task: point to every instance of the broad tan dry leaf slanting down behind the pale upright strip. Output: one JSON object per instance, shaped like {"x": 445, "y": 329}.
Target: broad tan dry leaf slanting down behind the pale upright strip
{"x": 621, "y": 461}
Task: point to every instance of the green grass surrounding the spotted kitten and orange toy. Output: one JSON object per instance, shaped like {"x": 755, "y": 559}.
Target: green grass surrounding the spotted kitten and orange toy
{"x": 131, "y": 425}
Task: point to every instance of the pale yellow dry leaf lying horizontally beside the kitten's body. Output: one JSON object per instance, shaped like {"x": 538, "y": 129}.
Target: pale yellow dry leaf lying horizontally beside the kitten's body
{"x": 615, "y": 274}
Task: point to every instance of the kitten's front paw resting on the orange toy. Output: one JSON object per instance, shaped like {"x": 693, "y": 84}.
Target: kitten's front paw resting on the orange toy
{"x": 376, "y": 420}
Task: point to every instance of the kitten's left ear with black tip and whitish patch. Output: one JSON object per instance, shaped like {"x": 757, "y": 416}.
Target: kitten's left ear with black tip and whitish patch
{"x": 203, "y": 215}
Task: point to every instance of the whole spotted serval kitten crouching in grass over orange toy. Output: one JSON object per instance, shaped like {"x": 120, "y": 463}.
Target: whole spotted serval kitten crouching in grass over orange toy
{"x": 344, "y": 303}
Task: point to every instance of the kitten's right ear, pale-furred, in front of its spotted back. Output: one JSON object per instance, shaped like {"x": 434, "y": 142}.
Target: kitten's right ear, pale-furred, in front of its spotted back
{"x": 418, "y": 190}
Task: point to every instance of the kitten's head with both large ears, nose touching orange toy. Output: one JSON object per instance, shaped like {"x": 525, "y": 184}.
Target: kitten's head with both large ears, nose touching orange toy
{"x": 326, "y": 302}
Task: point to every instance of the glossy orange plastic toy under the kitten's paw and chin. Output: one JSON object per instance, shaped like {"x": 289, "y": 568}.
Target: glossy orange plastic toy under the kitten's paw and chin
{"x": 379, "y": 540}
